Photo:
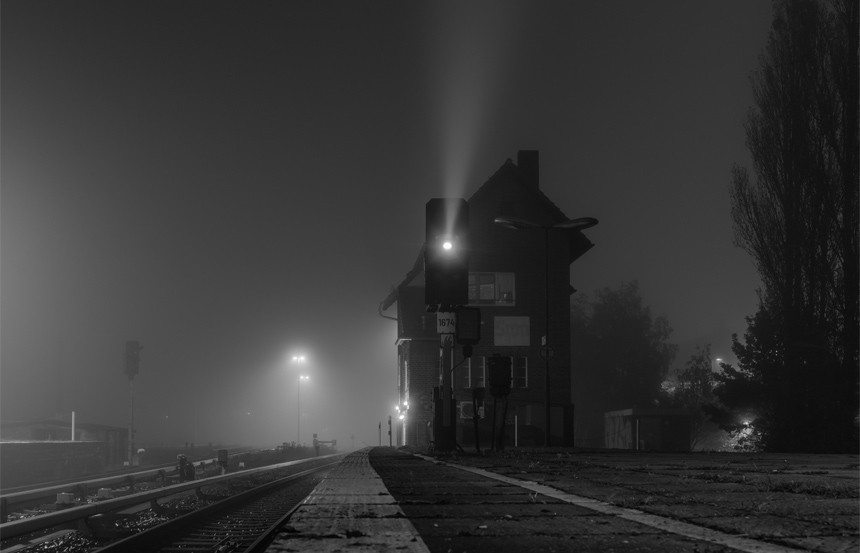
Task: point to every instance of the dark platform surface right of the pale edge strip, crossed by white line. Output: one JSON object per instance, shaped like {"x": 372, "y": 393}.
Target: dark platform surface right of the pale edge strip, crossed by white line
{"x": 626, "y": 501}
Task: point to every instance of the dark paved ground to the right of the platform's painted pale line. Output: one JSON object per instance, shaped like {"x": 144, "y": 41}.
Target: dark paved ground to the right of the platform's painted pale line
{"x": 789, "y": 502}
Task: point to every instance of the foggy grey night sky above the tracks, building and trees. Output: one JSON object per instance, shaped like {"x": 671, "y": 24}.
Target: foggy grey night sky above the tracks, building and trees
{"x": 236, "y": 184}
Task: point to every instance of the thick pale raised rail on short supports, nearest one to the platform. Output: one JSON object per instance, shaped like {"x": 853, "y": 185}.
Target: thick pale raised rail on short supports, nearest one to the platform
{"x": 27, "y": 525}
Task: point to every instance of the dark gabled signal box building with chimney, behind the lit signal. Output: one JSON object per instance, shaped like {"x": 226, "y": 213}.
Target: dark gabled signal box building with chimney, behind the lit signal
{"x": 508, "y": 270}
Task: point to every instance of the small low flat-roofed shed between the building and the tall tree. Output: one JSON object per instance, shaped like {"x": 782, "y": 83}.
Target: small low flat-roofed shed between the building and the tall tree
{"x": 647, "y": 429}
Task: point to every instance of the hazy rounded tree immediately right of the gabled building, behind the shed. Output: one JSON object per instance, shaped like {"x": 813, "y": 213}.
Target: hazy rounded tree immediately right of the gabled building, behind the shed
{"x": 620, "y": 353}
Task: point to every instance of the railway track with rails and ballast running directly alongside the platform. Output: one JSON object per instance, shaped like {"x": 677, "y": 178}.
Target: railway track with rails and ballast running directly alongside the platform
{"x": 224, "y": 514}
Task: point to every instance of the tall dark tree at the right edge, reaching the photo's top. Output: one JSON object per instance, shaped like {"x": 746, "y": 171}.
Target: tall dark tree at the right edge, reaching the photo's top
{"x": 797, "y": 217}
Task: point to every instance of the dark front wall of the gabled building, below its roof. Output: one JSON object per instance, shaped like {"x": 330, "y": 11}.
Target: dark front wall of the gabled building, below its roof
{"x": 540, "y": 261}
